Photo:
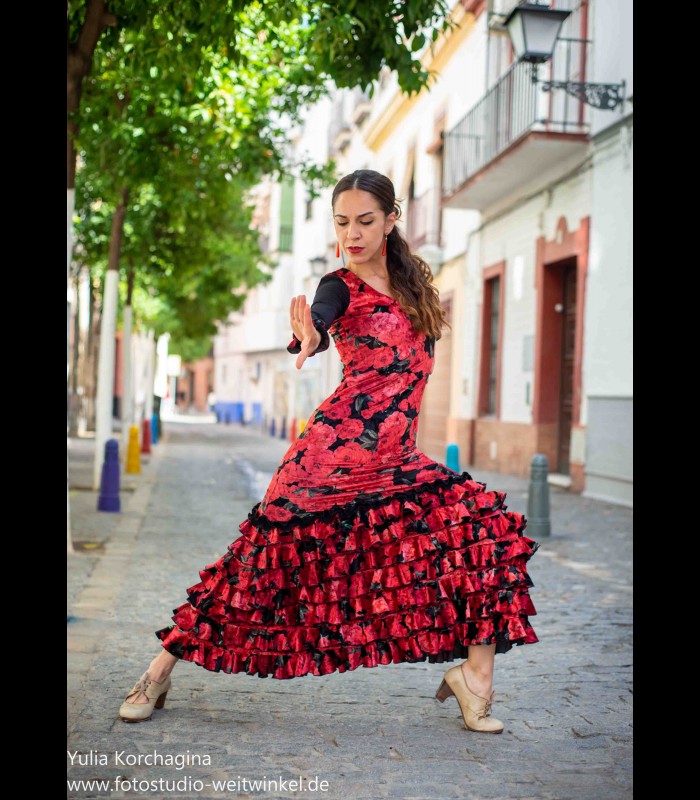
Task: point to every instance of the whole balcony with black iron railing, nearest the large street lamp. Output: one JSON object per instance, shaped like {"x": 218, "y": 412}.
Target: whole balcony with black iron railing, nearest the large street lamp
{"x": 515, "y": 134}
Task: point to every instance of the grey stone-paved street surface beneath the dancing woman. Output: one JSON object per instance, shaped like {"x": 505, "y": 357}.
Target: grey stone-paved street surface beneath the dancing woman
{"x": 372, "y": 733}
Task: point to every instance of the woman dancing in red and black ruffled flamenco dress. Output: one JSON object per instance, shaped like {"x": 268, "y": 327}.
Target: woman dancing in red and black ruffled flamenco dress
{"x": 363, "y": 551}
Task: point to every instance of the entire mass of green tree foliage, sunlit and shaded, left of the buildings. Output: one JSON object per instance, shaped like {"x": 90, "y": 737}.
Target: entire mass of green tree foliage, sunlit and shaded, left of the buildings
{"x": 186, "y": 105}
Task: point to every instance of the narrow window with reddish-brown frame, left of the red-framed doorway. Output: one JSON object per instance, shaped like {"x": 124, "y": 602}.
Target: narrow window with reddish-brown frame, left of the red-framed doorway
{"x": 491, "y": 342}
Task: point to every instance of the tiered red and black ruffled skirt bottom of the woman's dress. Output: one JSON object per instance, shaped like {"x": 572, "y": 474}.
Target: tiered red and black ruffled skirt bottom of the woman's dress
{"x": 418, "y": 576}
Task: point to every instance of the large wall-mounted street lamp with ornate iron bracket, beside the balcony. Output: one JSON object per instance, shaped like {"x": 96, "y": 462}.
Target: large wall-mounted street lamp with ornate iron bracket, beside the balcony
{"x": 533, "y": 29}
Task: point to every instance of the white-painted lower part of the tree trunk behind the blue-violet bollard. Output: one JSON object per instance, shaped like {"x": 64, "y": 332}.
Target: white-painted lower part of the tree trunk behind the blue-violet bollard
{"x": 105, "y": 372}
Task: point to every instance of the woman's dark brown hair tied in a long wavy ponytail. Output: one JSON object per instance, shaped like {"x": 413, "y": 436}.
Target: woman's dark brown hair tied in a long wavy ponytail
{"x": 410, "y": 278}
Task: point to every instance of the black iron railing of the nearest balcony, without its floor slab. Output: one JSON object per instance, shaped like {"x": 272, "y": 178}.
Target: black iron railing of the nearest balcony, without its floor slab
{"x": 513, "y": 107}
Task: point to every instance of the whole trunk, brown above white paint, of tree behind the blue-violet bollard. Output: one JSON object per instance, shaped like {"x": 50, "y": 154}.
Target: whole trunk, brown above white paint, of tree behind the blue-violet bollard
{"x": 105, "y": 374}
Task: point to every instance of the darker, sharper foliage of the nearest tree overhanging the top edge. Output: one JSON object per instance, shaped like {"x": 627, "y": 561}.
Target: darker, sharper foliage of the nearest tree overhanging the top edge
{"x": 310, "y": 41}
